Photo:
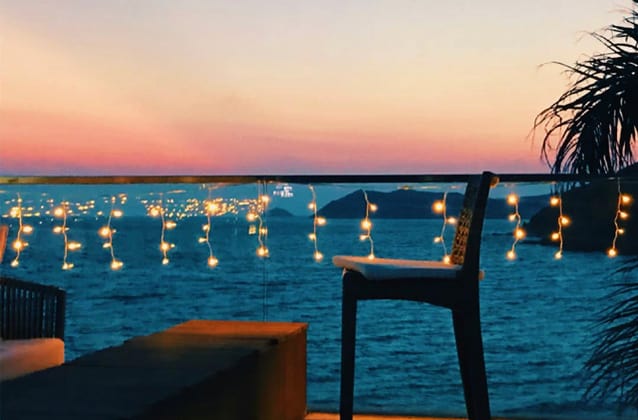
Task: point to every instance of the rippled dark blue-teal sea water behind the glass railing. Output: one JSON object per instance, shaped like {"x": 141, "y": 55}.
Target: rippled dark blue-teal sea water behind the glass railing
{"x": 538, "y": 314}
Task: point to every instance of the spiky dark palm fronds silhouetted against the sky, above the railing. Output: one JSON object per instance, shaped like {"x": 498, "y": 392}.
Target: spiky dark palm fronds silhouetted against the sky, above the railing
{"x": 596, "y": 119}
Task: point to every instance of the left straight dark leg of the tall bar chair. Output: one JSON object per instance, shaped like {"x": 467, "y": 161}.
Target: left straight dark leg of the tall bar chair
{"x": 348, "y": 334}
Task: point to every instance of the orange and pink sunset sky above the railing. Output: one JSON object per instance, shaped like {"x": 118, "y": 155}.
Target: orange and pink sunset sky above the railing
{"x": 250, "y": 87}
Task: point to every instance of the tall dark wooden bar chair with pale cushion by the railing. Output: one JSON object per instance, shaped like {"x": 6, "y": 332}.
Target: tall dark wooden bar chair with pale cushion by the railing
{"x": 453, "y": 286}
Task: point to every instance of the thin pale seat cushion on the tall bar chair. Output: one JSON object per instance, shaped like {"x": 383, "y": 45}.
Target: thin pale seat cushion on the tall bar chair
{"x": 387, "y": 268}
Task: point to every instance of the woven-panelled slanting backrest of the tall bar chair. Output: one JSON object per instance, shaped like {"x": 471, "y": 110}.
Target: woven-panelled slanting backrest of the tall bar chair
{"x": 466, "y": 248}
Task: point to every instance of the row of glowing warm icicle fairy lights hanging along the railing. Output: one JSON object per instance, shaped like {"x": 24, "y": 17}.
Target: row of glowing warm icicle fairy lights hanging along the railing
{"x": 256, "y": 217}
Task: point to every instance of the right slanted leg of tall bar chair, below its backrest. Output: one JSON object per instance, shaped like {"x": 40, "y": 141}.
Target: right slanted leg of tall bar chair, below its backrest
{"x": 469, "y": 347}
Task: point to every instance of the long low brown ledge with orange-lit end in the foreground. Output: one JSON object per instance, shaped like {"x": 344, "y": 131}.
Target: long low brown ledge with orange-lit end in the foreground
{"x": 199, "y": 369}
